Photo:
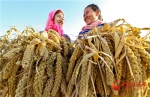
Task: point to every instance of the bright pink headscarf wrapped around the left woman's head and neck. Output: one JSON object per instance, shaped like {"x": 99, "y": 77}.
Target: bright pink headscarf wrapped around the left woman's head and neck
{"x": 51, "y": 25}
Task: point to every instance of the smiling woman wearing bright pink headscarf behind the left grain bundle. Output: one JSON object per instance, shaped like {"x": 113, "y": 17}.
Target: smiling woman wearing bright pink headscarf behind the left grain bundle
{"x": 56, "y": 21}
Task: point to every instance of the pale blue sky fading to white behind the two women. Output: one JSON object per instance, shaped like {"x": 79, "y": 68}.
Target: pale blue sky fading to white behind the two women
{"x": 35, "y": 13}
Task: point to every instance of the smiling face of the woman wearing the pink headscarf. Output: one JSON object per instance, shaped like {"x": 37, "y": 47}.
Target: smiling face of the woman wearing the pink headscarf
{"x": 59, "y": 19}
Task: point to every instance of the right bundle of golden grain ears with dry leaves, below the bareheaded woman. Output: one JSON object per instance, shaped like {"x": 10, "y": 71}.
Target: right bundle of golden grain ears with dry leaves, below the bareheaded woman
{"x": 112, "y": 60}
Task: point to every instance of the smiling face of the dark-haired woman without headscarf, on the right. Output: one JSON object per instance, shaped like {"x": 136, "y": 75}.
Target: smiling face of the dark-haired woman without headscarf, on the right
{"x": 90, "y": 15}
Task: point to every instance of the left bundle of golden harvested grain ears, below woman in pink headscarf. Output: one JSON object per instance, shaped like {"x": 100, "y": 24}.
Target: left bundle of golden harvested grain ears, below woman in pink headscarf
{"x": 32, "y": 64}
